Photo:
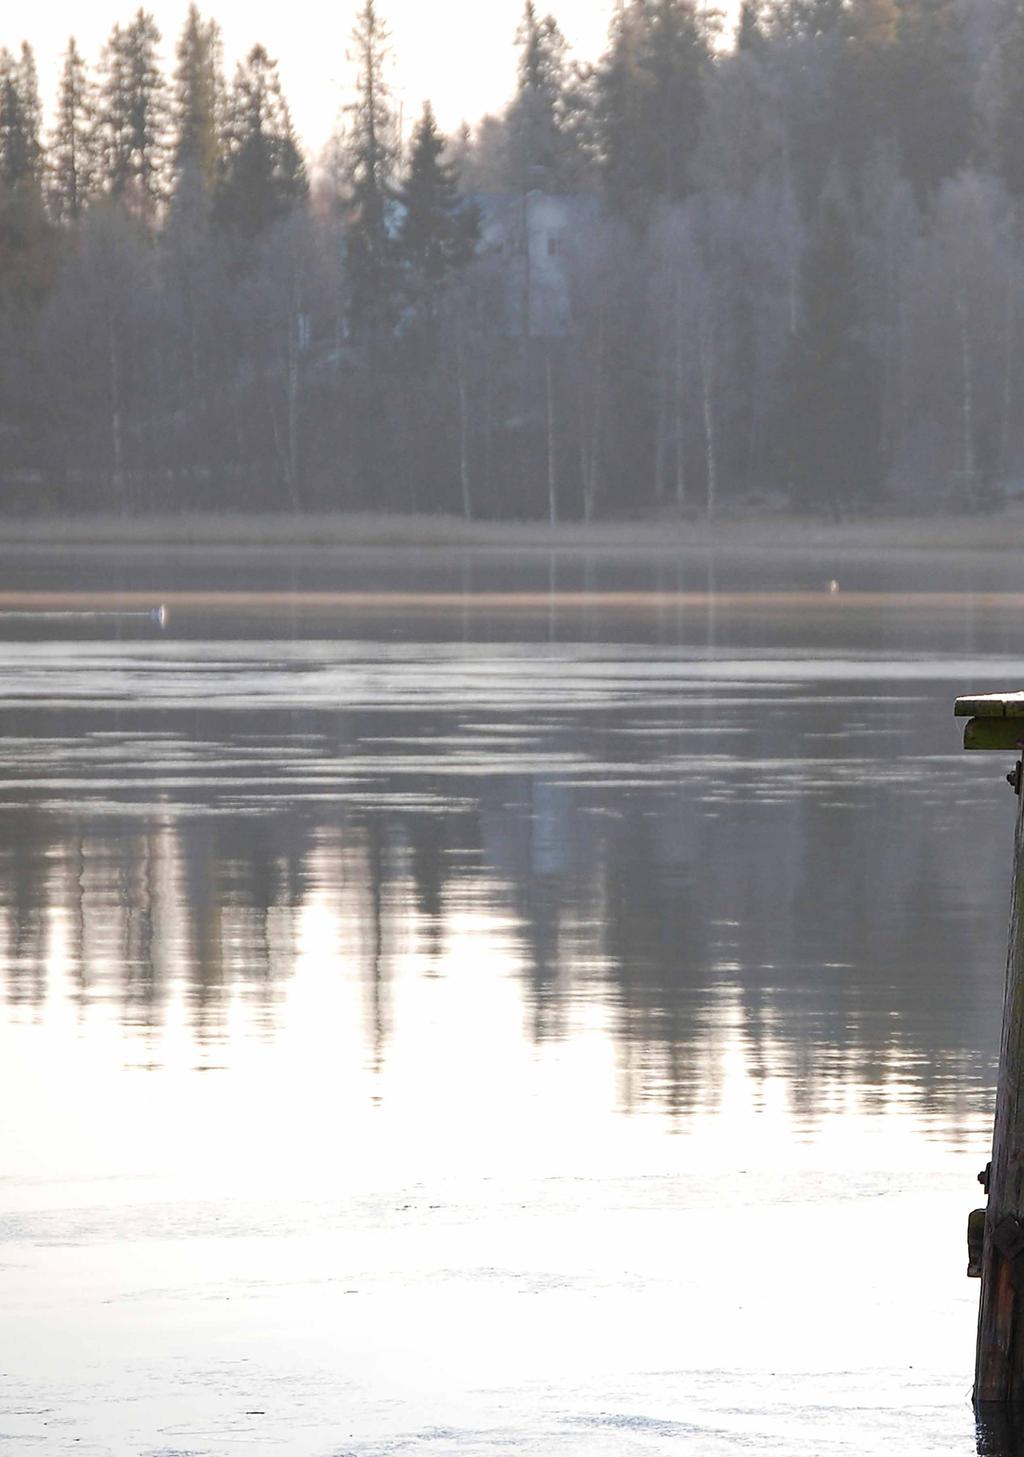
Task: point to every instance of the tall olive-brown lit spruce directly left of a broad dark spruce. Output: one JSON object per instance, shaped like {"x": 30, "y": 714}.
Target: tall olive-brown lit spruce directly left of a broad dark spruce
{"x": 199, "y": 103}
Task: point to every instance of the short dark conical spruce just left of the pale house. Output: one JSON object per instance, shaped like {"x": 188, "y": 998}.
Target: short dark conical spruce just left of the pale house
{"x": 439, "y": 231}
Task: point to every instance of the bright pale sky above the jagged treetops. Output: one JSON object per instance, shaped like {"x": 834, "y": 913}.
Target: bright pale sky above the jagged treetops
{"x": 458, "y": 53}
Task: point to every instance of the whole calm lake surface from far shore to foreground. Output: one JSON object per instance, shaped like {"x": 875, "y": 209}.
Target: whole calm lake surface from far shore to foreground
{"x": 554, "y": 1018}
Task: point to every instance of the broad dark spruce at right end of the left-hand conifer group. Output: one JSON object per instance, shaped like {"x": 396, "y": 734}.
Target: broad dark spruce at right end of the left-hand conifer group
{"x": 264, "y": 176}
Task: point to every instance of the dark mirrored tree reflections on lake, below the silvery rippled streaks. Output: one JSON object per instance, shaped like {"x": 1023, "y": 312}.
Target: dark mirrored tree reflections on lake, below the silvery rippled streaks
{"x": 837, "y": 952}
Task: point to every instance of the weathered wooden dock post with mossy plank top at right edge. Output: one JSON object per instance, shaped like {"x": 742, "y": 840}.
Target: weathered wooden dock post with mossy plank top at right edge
{"x": 997, "y": 723}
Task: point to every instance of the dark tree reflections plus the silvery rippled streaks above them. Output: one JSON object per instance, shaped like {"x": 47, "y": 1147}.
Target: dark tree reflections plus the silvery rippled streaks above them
{"x": 684, "y": 849}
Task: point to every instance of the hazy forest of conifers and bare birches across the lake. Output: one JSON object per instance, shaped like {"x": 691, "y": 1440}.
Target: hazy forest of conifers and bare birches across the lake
{"x": 787, "y": 269}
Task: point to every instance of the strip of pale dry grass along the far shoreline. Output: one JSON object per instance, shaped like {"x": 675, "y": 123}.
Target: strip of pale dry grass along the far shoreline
{"x": 340, "y": 533}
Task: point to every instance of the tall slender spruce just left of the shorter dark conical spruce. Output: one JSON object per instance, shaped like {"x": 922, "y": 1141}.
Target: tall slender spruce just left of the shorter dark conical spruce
{"x": 372, "y": 160}
